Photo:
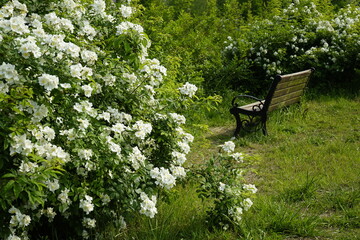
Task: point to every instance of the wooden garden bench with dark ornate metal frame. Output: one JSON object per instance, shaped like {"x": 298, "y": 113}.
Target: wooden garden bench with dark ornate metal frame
{"x": 284, "y": 91}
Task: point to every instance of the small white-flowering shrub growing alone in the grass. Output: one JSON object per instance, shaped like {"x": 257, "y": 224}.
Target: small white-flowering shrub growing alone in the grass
{"x": 223, "y": 180}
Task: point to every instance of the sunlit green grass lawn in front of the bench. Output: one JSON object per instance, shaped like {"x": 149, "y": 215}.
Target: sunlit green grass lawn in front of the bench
{"x": 308, "y": 176}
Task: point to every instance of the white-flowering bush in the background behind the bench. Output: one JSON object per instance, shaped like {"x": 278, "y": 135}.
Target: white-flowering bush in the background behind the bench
{"x": 301, "y": 36}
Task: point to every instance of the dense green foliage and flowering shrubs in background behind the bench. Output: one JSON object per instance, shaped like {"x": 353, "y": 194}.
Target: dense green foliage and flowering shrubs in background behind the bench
{"x": 241, "y": 45}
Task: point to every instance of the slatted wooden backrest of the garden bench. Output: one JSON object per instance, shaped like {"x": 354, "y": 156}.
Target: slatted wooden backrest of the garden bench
{"x": 287, "y": 89}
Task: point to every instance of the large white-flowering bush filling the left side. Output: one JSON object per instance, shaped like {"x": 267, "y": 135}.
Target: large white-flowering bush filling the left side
{"x": 85, "y": 138}
